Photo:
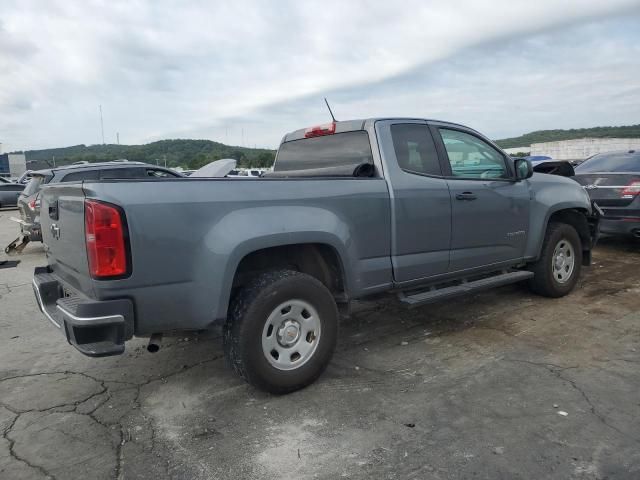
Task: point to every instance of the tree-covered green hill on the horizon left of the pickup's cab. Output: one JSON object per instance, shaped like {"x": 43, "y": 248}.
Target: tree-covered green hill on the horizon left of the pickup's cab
{"x": 189, "y": 154}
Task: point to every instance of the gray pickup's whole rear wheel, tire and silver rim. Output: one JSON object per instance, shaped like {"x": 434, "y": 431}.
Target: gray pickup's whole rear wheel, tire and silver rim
{"x": 281, "y": 331}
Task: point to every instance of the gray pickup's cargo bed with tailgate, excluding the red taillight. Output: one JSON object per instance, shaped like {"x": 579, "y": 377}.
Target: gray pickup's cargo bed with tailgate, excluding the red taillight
{"x": 187, "y": 236}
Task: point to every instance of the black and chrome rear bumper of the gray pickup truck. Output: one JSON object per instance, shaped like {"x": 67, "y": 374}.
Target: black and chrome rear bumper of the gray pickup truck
{"x": 97, "y": 328}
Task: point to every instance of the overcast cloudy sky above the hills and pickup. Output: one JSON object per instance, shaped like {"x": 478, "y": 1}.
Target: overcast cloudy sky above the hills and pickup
{"x": 246, "y": 72}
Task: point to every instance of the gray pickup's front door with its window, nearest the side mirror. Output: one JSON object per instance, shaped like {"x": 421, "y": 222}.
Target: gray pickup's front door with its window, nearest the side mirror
{"x": 490, "y": 210}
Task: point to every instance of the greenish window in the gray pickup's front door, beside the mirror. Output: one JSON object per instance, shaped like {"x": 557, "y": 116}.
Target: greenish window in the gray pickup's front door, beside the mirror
{"x": 471, "y": 157}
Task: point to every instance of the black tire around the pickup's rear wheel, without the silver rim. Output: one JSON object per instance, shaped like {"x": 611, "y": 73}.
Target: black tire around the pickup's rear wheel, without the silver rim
{"x": 247, "y": 320}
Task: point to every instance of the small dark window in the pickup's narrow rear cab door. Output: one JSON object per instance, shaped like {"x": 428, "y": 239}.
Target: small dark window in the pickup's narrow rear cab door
{"x": 415, "y": 149}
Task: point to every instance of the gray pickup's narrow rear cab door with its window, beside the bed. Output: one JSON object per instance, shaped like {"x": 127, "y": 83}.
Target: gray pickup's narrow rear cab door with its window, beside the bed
{"x": 420, "y": 201}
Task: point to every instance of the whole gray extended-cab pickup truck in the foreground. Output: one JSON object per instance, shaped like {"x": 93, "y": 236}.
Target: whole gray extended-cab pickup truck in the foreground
{"x": 426, "y": 209}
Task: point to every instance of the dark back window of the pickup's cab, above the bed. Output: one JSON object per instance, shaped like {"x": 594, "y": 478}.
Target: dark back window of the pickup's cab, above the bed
{"x": 341, "y": 150}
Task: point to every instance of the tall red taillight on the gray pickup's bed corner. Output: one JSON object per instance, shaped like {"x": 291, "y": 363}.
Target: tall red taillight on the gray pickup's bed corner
{"x": 105, "y": 238}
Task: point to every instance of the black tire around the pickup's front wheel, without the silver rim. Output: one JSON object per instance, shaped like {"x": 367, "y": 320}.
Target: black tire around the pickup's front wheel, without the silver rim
{"x": 545, "y": 281}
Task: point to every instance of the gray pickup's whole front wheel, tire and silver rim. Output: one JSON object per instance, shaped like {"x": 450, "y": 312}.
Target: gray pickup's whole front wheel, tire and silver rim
{"x": 557, "y": 270}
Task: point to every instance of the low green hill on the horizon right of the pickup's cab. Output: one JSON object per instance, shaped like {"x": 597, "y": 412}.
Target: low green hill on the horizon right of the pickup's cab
{"x": 629, "y": 131}
